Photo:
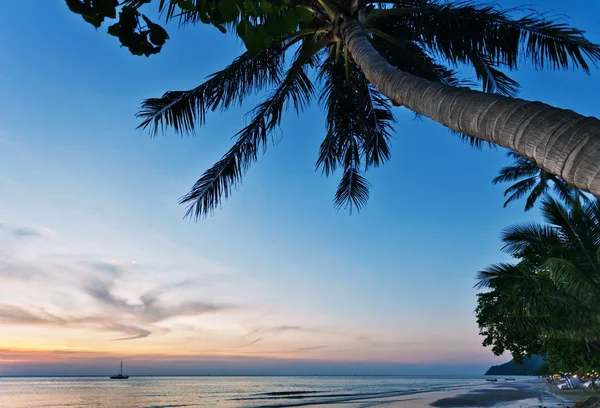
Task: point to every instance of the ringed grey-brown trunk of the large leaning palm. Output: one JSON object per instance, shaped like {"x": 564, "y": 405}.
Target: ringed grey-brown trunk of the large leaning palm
{"x": 560, "y": 141}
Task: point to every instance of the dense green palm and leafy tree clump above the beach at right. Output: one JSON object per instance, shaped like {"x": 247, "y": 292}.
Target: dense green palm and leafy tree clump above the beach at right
{"x": 553, "y": 292}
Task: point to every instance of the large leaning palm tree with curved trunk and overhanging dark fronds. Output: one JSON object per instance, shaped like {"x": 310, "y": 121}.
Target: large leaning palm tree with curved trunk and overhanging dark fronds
{"x": 369, "y": 55}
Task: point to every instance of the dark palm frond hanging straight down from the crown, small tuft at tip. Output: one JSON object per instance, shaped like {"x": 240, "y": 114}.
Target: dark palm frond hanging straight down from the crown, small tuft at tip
{"x": 359, "y": 122}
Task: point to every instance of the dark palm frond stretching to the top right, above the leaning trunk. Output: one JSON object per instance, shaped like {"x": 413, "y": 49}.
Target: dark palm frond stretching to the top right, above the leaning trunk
{"x": 456, "y": 30}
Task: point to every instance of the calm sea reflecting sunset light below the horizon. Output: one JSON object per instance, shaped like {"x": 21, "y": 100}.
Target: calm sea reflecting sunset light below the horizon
{"x": 225, "y": 392}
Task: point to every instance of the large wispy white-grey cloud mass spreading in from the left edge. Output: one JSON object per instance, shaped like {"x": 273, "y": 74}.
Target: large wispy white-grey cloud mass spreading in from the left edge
{"x": 91, "y": 280}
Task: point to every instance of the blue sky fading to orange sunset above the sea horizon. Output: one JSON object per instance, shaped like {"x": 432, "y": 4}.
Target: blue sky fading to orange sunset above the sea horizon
{"x": 97, "y": 263}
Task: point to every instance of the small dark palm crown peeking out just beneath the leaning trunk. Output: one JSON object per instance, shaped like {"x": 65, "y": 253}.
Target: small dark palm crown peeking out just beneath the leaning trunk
{"x": 533, "y": 180}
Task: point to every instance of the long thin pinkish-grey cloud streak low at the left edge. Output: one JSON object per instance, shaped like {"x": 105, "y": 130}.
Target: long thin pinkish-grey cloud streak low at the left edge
{"x": 20, "y": 315}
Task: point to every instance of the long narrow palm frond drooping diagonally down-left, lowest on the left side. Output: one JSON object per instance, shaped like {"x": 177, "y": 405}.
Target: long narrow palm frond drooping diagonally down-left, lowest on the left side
{"x": 218, "y": 182}
